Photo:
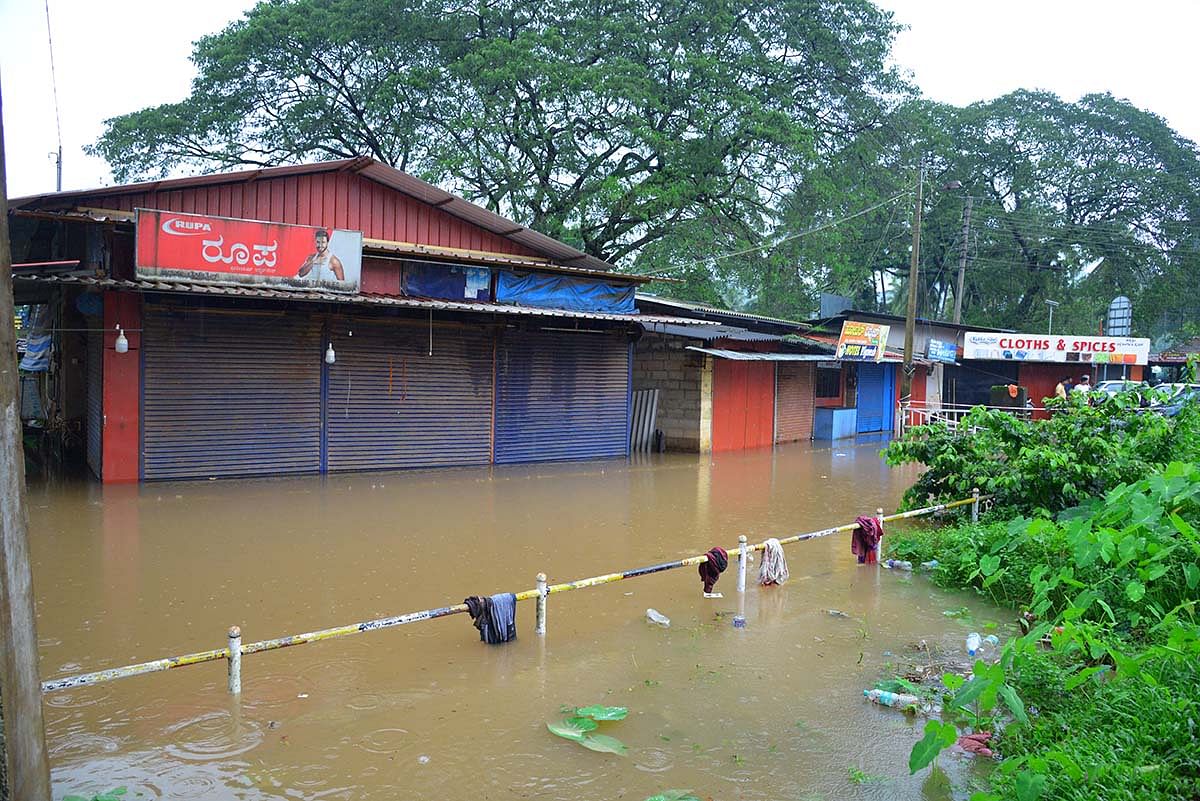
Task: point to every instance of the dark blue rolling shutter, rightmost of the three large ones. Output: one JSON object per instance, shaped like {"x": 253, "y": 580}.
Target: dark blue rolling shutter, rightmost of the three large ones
{"x": 562, "y": 396}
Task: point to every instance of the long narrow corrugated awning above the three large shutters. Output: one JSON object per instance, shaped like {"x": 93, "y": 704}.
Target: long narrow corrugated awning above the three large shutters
{"x": 224, "y": 291}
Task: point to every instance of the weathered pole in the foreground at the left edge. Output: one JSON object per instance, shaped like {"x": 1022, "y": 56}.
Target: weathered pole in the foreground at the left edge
{"x": 21, "y": 692}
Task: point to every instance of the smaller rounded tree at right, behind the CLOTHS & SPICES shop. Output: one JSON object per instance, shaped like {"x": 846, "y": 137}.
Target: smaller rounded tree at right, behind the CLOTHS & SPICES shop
{"x": 1072, "y": 202}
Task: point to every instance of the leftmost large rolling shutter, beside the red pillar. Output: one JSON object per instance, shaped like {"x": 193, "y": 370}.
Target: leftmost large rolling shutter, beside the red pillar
{"x": 227, "y": 395}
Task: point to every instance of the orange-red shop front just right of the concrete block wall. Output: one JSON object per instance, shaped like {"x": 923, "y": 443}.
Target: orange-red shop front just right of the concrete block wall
{"x": 743, "y": 405}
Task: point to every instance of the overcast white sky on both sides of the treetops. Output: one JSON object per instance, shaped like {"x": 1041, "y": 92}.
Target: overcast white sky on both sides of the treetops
{"x": 121, "y": 57}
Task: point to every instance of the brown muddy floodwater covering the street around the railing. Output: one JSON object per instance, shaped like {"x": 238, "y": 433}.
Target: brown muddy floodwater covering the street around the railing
{"x": 772, "y": 712}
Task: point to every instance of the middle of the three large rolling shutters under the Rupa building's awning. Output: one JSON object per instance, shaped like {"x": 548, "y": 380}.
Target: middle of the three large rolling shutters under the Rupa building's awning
{"x": 393, "y": 406}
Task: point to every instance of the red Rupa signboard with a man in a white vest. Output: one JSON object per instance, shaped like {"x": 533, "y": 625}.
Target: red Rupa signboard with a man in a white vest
{"x": 219, "y": 250}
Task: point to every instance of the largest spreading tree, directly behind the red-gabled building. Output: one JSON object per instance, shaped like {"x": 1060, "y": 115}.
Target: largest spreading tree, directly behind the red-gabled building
{"x": 609, "y": 124}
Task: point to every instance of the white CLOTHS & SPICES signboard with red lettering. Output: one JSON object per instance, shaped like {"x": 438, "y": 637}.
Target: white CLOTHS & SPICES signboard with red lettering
{"x": 1047, "y": 348}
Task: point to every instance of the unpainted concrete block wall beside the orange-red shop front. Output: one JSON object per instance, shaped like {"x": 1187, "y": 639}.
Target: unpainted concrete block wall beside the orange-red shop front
{"x": 664, "y": 364}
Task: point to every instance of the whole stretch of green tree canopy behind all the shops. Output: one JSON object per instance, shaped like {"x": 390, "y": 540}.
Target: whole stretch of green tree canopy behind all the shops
{"x": 763, "y": 153}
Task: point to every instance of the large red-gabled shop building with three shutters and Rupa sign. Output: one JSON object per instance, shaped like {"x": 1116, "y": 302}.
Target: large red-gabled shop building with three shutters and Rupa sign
{"x": 212, "y": 335}
